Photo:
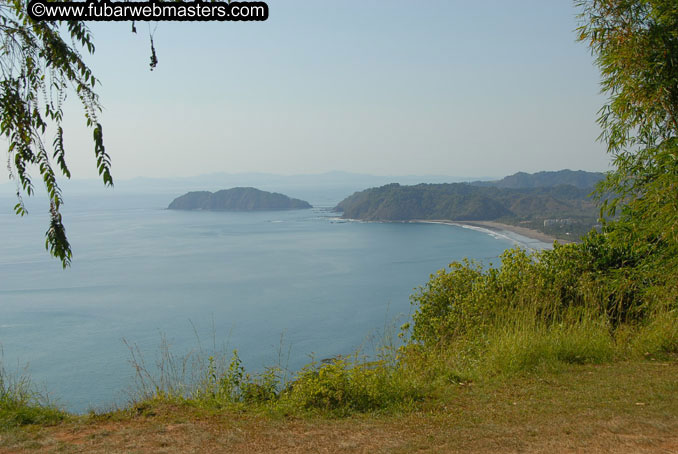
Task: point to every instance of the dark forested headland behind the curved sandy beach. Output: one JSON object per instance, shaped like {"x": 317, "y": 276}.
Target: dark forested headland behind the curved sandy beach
{"x": 552, "y": 209}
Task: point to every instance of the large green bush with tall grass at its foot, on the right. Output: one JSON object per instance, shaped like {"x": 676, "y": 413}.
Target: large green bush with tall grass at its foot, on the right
{"x": 577, "y": 303}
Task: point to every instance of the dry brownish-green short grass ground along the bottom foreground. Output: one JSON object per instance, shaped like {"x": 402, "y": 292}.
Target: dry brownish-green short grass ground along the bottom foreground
{"x": 624, "y": 407}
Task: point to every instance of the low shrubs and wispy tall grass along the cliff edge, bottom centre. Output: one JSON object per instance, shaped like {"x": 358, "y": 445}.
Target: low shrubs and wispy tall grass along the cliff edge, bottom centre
{"x": 339, "y": 386}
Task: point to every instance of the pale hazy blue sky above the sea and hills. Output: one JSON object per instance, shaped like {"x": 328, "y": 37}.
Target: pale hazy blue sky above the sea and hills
{"x": 388, "y": 87}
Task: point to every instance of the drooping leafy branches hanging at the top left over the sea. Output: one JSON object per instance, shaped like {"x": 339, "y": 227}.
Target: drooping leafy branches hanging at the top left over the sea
{"x": 38, "y": 68}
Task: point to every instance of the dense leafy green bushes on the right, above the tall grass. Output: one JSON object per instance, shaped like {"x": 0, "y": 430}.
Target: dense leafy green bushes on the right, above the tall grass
{"x": 597, "y": 276}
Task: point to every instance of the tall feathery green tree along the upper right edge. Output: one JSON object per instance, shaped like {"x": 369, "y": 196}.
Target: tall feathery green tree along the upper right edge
{"x": 635, "y": 43}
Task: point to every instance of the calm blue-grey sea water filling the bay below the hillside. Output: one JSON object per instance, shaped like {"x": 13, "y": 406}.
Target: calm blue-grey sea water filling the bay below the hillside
{"x": 140, "y": 271}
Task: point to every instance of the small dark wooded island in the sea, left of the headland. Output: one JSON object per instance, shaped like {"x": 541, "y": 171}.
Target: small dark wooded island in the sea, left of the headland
{"x": 237, "y": 199}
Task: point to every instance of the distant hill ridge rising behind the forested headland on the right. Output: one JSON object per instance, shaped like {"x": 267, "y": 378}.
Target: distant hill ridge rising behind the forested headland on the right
{"x": 577, "y": 178}
